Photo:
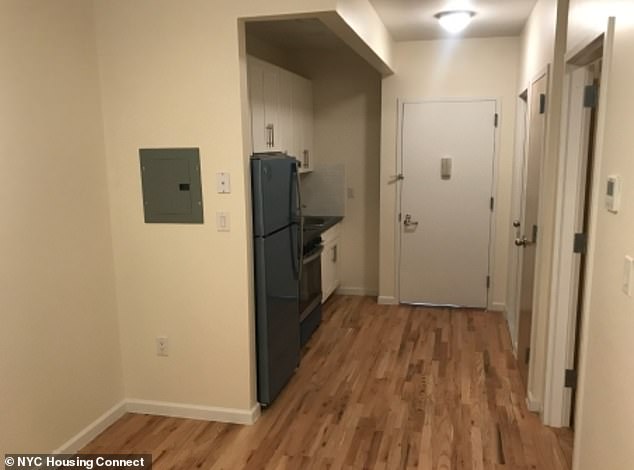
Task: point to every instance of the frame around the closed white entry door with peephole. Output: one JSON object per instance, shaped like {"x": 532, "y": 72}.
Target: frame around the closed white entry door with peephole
{"x": 400, "y": 102}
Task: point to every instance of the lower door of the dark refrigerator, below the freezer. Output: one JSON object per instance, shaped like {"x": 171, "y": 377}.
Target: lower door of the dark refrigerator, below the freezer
{"x": 277, "y": 311}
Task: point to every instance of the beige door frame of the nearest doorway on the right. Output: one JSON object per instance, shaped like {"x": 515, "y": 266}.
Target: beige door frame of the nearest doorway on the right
{"x": 562, "y": 315}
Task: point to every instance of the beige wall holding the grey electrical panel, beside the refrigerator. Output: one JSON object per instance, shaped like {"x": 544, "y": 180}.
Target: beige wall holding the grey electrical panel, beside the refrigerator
{"x": 172, "y": 76}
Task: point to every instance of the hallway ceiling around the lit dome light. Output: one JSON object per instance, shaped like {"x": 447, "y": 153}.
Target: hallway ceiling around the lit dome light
{"x": 412, "y": 20}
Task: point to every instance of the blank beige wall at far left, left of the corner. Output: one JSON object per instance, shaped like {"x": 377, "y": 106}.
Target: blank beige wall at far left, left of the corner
{"x": 60, "y": 367}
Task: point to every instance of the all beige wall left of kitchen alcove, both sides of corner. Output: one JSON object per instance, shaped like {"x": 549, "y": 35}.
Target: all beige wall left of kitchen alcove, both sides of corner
{"x": 86, "y": 284}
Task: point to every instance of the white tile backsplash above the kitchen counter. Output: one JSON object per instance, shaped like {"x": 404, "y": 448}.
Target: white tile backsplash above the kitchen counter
{"x": 324, "y": 190}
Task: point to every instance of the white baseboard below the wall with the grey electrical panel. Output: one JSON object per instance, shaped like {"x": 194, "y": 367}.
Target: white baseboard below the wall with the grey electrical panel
{"x": 206, "y": 413}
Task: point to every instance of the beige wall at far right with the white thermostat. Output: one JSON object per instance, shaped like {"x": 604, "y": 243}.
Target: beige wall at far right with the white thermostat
{"x": 605, "y": 407}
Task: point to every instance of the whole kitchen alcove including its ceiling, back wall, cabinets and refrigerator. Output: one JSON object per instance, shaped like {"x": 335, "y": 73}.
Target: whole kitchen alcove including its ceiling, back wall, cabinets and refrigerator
{"x": 315, "y": 110}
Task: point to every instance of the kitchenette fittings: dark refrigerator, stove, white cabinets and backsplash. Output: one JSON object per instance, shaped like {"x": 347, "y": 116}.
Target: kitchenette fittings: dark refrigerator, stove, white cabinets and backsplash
{"x": 298, "y": 206}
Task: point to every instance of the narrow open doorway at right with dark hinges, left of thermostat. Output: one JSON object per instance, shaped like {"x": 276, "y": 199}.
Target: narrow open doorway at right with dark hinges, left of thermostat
{"x": 574, "y": 205}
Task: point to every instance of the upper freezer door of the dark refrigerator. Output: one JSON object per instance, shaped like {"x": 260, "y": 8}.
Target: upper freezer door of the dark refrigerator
{"x": 274, "y": 186}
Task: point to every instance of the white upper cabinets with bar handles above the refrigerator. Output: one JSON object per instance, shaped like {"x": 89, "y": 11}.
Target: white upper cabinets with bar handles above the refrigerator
{"x": 281, "y": 112}
